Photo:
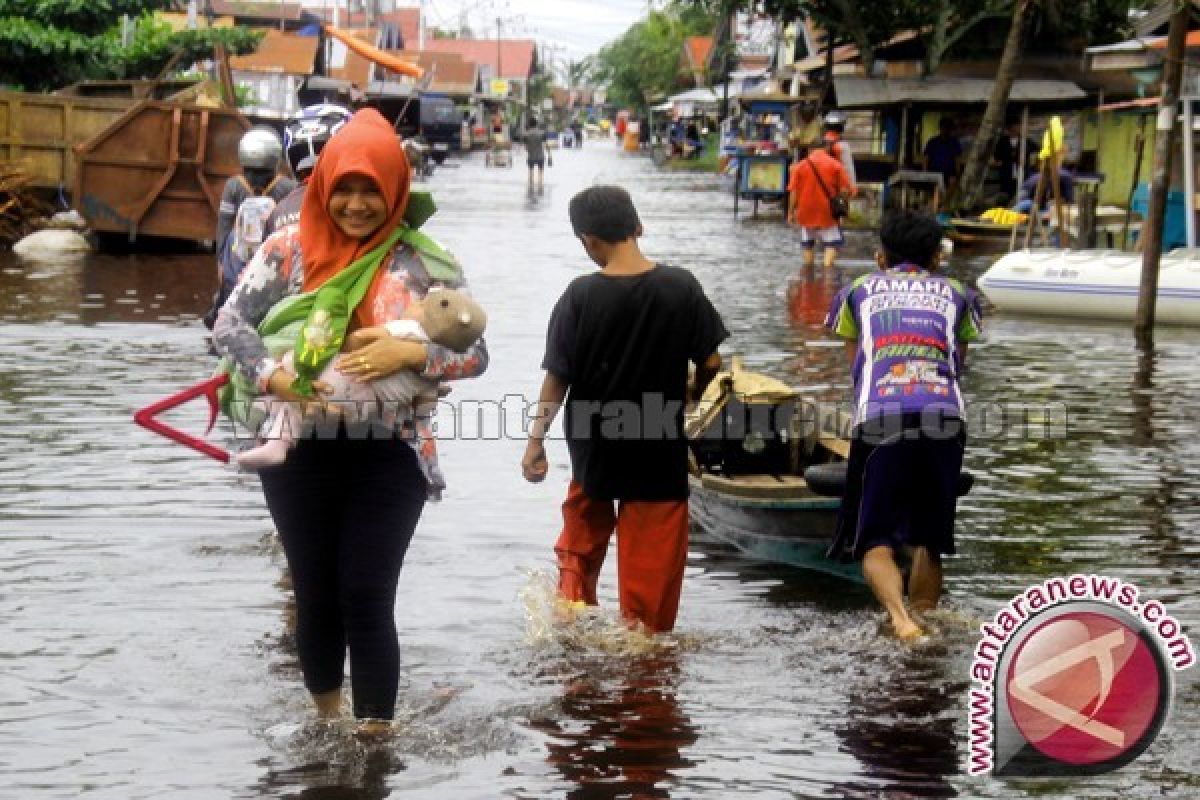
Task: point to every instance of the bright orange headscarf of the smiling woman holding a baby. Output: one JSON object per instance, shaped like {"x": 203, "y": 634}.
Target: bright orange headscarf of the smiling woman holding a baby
{"x": 368, "y": 147}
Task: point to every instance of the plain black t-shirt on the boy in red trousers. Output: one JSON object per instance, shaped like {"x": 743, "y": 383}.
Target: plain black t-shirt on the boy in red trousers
{"x": 623, "y": 345}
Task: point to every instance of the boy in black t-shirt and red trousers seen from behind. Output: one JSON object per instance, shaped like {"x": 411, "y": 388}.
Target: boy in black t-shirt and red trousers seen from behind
{"x": 617, "y": 351}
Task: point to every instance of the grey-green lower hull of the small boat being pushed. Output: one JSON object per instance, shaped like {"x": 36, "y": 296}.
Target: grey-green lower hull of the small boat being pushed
{"x": 784, "y": 531}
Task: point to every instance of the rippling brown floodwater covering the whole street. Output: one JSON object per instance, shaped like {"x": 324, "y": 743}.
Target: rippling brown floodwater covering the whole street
{"x": 145, "y": 637}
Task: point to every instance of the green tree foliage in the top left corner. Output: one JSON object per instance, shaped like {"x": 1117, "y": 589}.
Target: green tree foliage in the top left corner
{"x": 50, "y": 44}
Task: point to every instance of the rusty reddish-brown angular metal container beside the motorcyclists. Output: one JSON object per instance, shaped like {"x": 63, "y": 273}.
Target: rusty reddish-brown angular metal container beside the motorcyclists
{"x": 159, "y": 171}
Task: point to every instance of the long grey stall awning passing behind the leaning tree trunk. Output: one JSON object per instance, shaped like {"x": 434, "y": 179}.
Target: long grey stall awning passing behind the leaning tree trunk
{"x": 879, "y": 93}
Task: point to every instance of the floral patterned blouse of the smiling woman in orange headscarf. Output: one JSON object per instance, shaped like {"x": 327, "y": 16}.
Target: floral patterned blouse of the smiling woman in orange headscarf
{"x": 278, "y": 272}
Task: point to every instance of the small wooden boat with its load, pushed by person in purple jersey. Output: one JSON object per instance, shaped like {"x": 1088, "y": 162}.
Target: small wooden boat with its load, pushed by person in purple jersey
{"x": 752, "y": 441}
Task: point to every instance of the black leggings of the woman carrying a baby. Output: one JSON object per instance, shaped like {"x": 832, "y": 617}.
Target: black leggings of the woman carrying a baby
{"x": 346, "y": 512}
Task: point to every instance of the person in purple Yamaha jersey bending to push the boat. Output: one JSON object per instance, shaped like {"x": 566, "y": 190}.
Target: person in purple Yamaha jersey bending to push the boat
{"x": 908, "y": 330}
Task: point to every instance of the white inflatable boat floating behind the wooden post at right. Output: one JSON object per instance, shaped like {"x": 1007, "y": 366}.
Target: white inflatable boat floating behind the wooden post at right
{"x": 1093, "y": 284}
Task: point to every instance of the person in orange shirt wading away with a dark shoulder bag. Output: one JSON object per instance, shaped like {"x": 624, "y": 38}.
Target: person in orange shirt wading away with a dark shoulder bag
{"x": 818, "y": 188}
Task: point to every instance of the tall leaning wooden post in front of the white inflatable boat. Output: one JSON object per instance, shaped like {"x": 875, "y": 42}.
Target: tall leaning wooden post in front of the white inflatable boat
{"x": 1165, "y": 149}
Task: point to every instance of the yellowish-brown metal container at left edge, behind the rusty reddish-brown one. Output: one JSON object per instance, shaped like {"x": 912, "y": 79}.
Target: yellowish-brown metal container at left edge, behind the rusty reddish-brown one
{"x": 41, "y": 131}
